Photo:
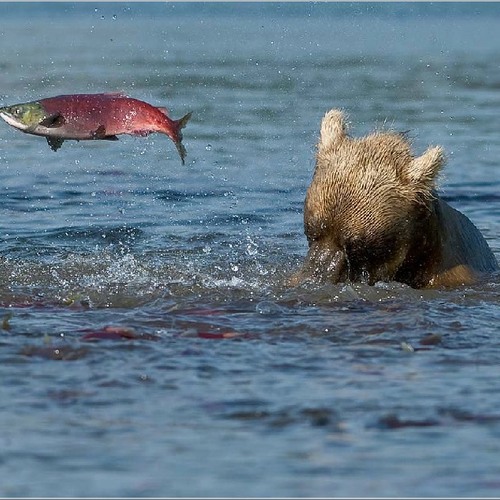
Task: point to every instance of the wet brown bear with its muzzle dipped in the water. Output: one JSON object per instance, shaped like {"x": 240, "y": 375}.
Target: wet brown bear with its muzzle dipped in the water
{"x": 372, "y": 214}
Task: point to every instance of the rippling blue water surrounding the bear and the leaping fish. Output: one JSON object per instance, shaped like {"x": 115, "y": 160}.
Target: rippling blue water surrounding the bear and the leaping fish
{"x": 215, "y": 378}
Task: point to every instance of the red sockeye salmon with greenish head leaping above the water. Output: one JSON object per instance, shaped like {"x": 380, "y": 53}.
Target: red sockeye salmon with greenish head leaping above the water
{"x": 93, "y": 117}
